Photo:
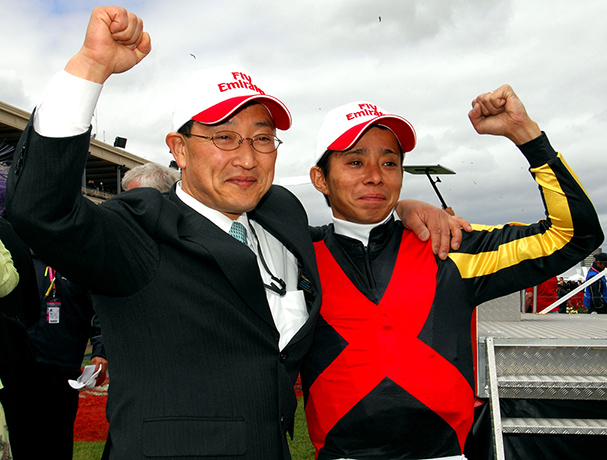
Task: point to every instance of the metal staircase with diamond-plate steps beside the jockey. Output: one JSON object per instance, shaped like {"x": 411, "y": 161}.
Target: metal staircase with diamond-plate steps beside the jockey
{"x": 543, "y": 367}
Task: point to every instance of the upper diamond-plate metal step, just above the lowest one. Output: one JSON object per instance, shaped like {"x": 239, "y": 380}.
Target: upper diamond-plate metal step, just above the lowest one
{"x": 553, "y": 386}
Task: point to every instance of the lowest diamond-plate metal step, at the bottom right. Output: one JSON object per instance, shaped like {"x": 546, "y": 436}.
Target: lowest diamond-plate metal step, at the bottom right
{"x": 554, "y": 426}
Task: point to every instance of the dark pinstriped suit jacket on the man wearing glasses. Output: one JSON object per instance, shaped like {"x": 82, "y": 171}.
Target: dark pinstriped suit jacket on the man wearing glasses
{"x": 195, "y": 368}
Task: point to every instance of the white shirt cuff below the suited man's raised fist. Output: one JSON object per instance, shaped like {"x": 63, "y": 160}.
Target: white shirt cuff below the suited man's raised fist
{"x": 67, "y": 106}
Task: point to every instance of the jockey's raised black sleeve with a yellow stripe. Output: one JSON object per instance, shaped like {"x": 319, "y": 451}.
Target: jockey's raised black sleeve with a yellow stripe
{"x": 497, "y": 260}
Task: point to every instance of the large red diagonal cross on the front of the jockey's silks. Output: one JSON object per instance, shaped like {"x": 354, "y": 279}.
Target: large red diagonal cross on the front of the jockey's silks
{"x": 382, "y": 342}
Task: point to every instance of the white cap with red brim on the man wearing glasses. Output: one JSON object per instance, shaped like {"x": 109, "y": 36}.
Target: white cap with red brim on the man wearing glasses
{"x": 213, "y": 95}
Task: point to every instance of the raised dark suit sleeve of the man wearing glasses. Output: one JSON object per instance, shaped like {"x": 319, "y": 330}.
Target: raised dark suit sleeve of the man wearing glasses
{"x": 47, "y": 210}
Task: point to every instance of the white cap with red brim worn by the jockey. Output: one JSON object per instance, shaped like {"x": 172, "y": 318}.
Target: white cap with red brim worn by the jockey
{"x": 344, "y": 125}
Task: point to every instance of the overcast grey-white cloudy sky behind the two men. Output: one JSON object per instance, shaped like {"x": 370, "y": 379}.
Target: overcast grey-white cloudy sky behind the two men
{"x": 425, "y": 60}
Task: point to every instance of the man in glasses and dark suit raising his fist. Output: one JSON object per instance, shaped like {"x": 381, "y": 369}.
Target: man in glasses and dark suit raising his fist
{"x": 205, "y": 335}
